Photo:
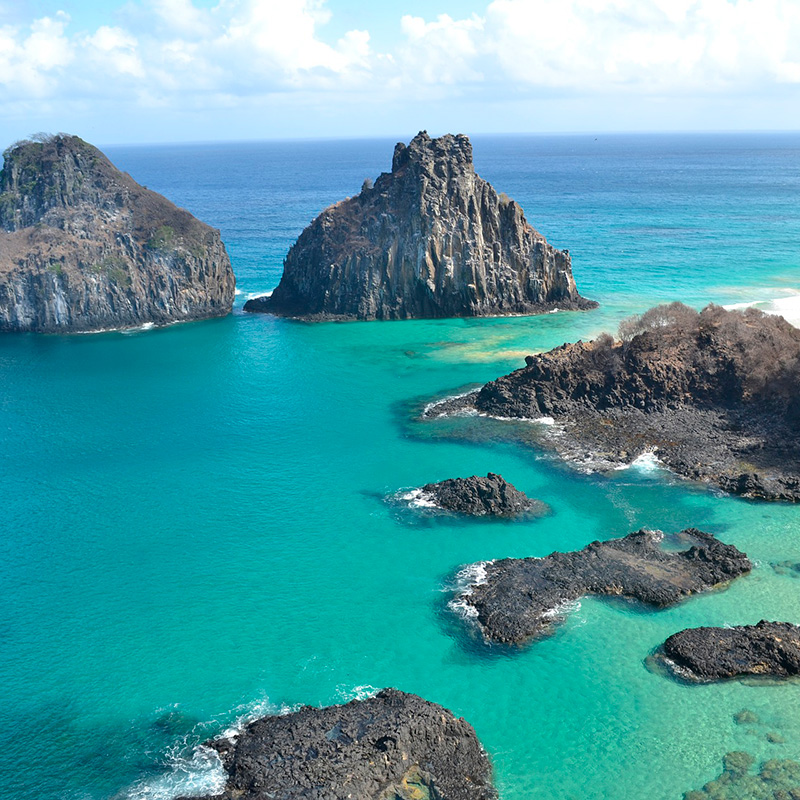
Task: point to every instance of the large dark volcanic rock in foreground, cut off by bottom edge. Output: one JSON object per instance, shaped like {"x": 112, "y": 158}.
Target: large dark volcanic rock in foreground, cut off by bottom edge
{"x": 393, "y": 746}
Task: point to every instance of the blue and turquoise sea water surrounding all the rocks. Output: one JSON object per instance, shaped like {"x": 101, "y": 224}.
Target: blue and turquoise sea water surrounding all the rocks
{"x": 199, "y": 523}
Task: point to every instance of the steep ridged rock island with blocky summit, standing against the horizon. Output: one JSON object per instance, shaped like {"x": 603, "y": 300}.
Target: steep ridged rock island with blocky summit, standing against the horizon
{"x": 429, "y": 239}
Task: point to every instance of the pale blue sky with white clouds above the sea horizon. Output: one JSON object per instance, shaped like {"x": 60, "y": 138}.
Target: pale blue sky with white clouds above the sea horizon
{"x": 138, "y": 71}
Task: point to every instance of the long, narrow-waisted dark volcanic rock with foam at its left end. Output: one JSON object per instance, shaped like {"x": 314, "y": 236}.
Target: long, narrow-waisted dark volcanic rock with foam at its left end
{"x": 519, "y": 598}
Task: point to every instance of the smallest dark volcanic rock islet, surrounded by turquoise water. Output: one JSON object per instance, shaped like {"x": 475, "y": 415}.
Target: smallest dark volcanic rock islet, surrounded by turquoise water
{"x": 476, "y": 495}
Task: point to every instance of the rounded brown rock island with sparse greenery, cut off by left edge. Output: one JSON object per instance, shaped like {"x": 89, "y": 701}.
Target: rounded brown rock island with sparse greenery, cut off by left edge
{"x": 84, "y": 247}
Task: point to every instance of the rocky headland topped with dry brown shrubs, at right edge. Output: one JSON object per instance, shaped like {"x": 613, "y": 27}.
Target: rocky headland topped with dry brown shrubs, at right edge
{"x": 714, "y": 394}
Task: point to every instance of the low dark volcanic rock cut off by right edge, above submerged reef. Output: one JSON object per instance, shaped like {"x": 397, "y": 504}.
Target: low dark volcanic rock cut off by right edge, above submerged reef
{"x": 709, "y": 654}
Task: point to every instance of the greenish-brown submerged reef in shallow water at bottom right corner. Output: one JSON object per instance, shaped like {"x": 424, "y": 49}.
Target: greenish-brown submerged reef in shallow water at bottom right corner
{"x": 777, "y": 779}
